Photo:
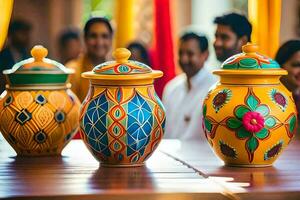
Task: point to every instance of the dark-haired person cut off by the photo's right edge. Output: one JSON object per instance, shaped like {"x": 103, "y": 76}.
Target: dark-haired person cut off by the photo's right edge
{"x": 288, "y": 57}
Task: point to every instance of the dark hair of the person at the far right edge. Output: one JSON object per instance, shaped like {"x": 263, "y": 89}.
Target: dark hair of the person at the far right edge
{"x": 287, "y": 50}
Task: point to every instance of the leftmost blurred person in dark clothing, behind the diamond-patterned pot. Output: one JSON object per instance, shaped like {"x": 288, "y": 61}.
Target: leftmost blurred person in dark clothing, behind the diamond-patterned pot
{"x": 17, "y": 48}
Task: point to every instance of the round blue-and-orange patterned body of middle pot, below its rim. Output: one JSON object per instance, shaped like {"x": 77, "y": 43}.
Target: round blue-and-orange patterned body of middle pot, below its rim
{"x": 122, "y": 125}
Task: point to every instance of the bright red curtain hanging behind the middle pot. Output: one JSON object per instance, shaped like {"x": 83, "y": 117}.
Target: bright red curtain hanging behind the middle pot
{"x": 163, "y": 56}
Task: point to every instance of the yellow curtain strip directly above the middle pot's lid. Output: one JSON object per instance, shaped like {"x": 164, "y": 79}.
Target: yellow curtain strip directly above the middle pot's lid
{"x": 124, "y": 15}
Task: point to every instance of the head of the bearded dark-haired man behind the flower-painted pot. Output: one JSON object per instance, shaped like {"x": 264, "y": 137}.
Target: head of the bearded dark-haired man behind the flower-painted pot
{"x": 233, "y": 31}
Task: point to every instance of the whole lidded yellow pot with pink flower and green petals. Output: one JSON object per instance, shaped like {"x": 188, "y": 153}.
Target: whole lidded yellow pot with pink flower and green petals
{"x": 249, "y": 117}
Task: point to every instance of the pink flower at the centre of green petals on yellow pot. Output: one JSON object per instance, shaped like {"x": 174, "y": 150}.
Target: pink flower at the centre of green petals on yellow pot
{"x": 253, "y": 121}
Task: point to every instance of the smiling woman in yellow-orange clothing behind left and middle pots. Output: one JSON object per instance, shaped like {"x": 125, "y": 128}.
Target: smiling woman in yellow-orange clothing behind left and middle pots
{"x": 98, "y": 34}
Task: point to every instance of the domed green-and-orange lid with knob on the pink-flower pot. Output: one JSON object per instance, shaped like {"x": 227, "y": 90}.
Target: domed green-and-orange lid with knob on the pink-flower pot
{"x": 249, "y": 59}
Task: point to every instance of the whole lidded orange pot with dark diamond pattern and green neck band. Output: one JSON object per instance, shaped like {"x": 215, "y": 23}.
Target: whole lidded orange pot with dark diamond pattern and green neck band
{"x": 39, "y": 114}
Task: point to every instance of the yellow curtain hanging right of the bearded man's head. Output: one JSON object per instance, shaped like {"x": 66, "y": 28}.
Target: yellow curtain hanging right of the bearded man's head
{"x": 265, "y": 18}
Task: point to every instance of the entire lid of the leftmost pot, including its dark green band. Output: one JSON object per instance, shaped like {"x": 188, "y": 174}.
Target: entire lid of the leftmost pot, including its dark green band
{"x": 37, "y": 70}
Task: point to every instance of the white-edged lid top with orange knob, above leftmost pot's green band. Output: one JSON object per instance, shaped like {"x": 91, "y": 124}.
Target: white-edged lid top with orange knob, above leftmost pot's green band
{"x": 38, "y": 64}
